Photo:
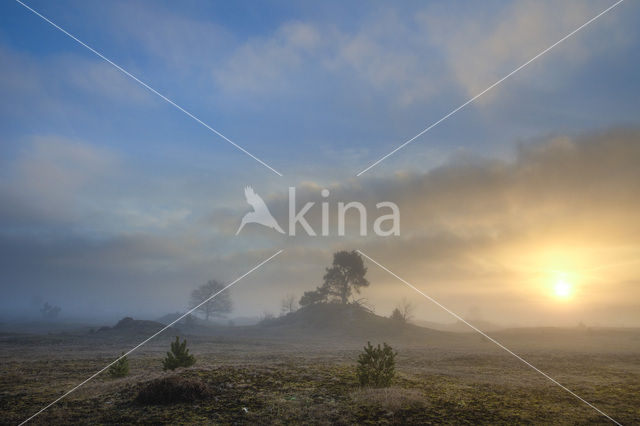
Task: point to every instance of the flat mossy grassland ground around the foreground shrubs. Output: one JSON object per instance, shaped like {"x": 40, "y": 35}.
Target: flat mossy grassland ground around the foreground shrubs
{"x": 461, "y": 379}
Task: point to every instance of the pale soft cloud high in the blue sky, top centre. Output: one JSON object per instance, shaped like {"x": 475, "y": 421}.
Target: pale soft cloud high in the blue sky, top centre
{"x": 381, "y": 54}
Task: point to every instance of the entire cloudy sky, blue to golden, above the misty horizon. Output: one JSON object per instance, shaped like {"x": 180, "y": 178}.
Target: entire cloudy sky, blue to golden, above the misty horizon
{"x": 114, "y": 202}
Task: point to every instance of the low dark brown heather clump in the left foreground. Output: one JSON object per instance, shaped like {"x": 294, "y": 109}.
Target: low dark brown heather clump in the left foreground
{"x": 170, "y": 390}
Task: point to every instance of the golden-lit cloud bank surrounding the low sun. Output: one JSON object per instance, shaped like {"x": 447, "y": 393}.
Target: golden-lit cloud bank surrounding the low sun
{"x": 493, "y": 231}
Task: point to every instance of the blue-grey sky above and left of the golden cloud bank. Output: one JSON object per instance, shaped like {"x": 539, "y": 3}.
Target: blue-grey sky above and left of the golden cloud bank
{"x": 317, "y": 90}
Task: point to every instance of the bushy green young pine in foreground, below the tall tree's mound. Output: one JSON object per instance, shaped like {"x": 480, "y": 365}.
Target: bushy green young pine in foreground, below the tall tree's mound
{"x": 376, "y": 365}
